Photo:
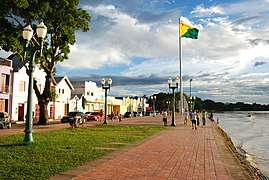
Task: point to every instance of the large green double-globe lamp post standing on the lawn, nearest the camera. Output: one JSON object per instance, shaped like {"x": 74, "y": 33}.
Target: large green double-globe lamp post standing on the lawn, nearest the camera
{"x": 27, "y": 34}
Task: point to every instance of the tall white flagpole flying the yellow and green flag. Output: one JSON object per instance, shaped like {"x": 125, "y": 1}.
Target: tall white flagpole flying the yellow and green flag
{"x": 180, "y": 70}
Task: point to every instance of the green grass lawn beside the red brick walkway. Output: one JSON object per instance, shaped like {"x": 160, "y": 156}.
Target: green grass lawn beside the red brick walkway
{"x": 57, "y": 151}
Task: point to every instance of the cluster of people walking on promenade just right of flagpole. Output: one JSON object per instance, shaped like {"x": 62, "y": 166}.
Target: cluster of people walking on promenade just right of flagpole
{"x": 195, "y": 117}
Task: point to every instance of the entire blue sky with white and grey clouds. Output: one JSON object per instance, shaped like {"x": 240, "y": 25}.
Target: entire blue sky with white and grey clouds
{"x": 135, "y": 43}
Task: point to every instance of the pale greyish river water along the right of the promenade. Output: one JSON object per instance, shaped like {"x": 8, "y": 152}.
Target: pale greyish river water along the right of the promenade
{"x": 249, "y": 131}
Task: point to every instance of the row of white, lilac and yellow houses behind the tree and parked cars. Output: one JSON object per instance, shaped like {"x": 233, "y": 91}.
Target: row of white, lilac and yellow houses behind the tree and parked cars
{"x": 83, "y": 96}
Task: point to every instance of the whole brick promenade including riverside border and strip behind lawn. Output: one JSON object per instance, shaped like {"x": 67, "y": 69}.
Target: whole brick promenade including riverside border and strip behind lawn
{"x": 177, "y": 153}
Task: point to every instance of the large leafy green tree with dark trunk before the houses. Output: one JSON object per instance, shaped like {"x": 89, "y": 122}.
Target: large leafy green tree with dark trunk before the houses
{"x": 62, "y": 18}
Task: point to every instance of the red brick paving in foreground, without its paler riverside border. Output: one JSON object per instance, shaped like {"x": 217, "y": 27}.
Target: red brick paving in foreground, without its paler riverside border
{"x": 178, "y": 153}
